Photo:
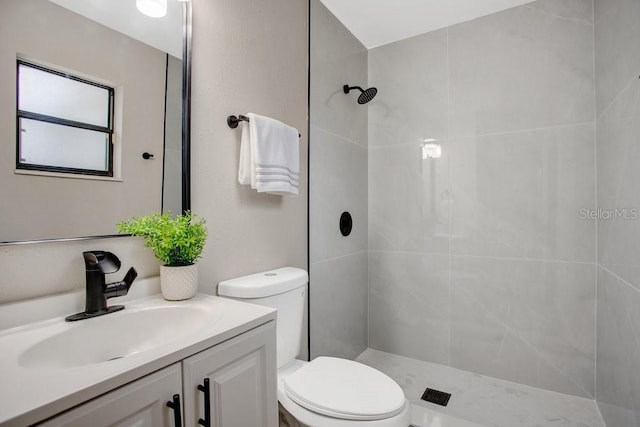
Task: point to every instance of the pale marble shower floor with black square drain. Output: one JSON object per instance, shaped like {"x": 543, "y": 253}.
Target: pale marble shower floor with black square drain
{"x": 478, "y": 400}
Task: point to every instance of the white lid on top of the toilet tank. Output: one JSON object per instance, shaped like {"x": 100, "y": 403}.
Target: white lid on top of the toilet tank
{"x": 264, "y": 284}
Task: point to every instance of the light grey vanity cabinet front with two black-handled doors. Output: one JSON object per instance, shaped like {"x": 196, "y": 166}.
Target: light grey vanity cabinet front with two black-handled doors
{"x": 242, "y": 390}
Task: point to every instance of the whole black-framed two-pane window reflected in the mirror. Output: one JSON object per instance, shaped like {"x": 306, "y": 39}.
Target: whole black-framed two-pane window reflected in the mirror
{"x": 64, "y": 122}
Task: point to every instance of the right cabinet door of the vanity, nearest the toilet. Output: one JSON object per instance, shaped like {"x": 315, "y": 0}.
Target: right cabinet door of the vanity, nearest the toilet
{"x": 242, "y": 381}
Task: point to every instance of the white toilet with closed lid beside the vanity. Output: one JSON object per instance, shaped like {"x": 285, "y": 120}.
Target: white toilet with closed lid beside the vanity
{"x": 328, "y": 391}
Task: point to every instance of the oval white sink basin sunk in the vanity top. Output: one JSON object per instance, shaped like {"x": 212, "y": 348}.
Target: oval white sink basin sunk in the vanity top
{"x": 115, "y": 336}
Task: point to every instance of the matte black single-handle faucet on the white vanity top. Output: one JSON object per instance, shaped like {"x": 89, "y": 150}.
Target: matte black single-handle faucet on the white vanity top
{"x": 99, "y": 263}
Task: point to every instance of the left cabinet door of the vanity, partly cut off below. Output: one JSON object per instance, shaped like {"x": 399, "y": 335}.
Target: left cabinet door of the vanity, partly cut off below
{"x": 142, "y": 403}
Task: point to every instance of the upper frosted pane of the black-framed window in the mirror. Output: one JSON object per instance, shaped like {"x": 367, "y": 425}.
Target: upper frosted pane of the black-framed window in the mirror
{"x": 55, "y": 95}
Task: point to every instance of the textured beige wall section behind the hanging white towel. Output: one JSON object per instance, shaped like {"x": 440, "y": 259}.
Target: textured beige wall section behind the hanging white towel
{"x": 248, "y": 56}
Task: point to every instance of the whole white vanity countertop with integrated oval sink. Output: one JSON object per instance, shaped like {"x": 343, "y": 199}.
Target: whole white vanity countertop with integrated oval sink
{"x": 49, "y": 365}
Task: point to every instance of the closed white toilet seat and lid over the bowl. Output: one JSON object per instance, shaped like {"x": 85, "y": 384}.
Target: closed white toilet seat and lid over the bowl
{"x": 344, "y": 389}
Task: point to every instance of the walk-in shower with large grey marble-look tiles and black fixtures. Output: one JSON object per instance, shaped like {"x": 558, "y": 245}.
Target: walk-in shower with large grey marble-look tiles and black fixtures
{"x": 501, "y": 292}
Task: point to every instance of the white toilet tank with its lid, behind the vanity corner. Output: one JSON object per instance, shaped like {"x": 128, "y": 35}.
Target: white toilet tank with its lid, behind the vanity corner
{"x": 283, "y": 289}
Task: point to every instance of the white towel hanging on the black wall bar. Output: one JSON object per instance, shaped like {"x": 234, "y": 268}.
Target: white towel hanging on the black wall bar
{"x": 269, "y": 156}
